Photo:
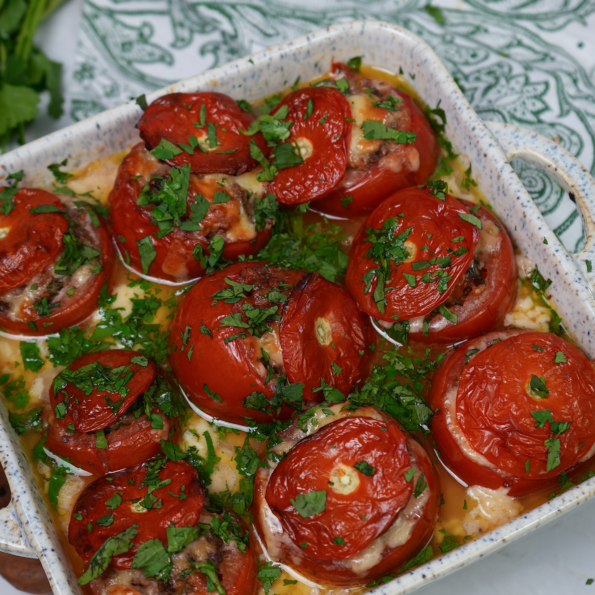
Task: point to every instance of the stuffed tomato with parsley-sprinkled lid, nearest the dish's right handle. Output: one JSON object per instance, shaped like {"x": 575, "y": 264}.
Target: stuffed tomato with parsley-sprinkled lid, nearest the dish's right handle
{"x": 432, "y": 268}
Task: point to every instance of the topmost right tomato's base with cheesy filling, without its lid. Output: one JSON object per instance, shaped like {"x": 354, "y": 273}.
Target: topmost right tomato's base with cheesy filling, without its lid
{"x": 392, "y": 146}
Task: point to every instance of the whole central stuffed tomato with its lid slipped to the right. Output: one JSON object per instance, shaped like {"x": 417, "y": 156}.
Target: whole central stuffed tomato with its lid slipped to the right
{"x": 256, "y": 340}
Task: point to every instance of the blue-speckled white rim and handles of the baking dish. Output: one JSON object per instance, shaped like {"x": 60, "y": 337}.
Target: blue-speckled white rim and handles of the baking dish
{"x": 391, "y": 47}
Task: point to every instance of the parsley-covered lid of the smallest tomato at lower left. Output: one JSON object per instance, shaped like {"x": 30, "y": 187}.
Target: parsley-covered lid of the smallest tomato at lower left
{"x": 97, "y": 388}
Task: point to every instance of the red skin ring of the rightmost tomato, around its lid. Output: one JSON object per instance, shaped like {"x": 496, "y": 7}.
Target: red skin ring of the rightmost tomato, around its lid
{"x": 449, "y": 451}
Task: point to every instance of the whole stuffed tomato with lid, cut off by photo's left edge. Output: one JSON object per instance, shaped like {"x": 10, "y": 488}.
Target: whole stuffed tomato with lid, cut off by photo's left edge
{"x": 54, "y": 259}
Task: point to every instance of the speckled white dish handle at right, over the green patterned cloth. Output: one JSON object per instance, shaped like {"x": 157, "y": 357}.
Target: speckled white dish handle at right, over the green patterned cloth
{"x": 566, "y": 169}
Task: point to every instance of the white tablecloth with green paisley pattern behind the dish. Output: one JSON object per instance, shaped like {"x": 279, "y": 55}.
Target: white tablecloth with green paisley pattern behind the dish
{"x": 525, "y": 62}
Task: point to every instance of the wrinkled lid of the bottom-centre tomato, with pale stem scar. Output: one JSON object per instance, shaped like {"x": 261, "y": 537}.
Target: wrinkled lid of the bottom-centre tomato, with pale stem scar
{"x": 342, "y": 487}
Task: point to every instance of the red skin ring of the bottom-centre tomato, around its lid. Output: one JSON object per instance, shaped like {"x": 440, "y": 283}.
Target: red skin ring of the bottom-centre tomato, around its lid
{"x": 327, "y": 571}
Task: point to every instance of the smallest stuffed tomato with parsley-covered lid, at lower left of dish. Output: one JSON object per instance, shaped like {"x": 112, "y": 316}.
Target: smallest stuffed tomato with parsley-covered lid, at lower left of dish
{"x": 110, "y": 410}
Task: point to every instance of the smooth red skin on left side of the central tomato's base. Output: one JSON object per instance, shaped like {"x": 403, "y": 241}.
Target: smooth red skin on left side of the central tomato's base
{"x": 212, "y": 362}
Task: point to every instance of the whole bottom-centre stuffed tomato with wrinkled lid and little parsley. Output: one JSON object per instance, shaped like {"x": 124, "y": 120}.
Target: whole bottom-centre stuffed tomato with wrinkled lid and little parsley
{"x": 352, "y": 498}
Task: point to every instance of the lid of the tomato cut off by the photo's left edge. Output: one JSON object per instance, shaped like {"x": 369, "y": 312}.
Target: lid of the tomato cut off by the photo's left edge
{"x": 32, "y": 240}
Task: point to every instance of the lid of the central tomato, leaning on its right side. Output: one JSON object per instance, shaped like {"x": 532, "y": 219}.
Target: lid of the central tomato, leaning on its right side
{"x": 306, "y": 358}
